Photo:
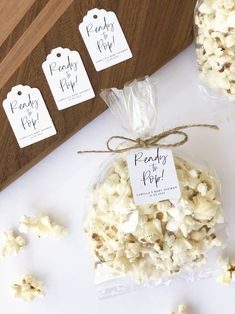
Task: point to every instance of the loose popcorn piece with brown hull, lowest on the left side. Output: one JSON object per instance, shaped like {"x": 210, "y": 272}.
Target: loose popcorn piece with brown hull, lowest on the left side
{"x": 28, "y": 289}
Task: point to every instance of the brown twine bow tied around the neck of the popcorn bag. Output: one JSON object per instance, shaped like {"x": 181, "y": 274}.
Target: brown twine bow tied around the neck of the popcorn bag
{"x": 151, "y": 142}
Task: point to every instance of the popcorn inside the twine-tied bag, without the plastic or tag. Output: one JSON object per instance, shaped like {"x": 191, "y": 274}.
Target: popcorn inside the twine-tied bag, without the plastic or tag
{"x": 153, "y": 240}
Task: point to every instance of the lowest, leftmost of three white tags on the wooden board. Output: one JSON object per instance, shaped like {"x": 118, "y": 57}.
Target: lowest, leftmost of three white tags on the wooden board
{"x": 28, "y": 115}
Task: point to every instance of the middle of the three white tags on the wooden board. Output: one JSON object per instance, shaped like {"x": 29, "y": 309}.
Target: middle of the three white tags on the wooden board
{"x": 67, "y": 78}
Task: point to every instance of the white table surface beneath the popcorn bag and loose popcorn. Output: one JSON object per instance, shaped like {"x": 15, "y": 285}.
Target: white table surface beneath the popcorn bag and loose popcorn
{"x": 58, "y": 186}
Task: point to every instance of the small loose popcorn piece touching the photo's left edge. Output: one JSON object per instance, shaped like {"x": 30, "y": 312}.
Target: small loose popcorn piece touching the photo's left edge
{"x": 12, "y": 244}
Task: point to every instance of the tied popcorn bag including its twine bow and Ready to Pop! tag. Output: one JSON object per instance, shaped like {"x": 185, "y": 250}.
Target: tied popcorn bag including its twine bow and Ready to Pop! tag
{"x": 153, "y": 214}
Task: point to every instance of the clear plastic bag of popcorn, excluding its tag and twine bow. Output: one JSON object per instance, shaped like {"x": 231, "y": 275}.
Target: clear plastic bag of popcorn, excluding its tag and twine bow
{"x": 145, "y": 245}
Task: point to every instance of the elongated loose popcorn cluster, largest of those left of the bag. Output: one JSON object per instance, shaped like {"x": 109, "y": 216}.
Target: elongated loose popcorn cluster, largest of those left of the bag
{"x": 41, "y": 227}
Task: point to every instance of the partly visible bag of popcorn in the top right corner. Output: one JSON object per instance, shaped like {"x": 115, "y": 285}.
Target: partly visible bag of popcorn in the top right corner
{"x": 215, "y": 46}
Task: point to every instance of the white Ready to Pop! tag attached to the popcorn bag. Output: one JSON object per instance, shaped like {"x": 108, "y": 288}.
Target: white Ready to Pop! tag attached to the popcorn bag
{"x": 153, "y": 175}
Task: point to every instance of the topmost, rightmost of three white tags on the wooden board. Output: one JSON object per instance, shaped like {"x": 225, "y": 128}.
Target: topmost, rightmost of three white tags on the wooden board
{"x": 104, "y": 38}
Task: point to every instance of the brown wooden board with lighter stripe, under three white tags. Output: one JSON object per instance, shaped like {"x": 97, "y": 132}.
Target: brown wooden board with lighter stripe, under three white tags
{"x": 156, "y": 31}
